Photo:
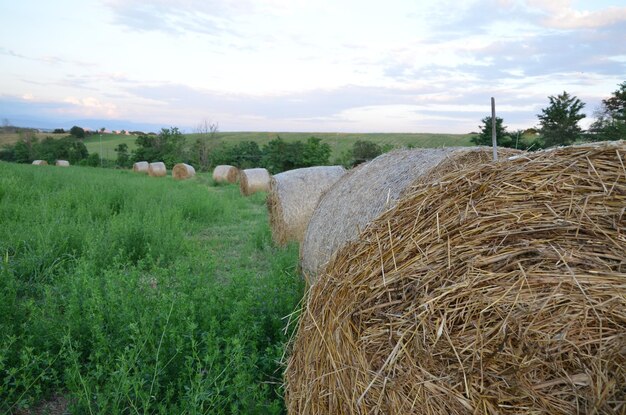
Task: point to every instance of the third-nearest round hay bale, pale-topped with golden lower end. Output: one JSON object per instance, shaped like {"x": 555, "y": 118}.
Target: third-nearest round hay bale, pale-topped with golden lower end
{"x": 293, "y": 196}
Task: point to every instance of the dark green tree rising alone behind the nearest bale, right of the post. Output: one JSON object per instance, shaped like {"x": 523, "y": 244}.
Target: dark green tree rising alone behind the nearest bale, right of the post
{"x": 559, "y": 121}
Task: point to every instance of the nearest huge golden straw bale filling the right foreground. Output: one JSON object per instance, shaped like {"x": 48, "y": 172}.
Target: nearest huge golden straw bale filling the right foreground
{"x": 499, "y": 290}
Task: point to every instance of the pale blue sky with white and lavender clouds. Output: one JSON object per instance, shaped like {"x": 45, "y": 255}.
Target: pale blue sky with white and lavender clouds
{"x": 304, "y": 65}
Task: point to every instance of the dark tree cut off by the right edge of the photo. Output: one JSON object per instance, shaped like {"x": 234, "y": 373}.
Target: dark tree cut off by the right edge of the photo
{"x": 610, "y": 123}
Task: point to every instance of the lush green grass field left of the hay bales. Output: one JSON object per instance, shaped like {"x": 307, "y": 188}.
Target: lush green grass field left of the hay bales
{"x": 129, "y": 294}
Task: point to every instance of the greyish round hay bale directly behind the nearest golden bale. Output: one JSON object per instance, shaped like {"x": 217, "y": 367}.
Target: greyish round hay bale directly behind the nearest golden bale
{"x": 370, "y": 189}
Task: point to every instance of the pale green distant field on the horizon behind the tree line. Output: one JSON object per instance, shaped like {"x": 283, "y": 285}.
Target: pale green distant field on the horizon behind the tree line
{"x": 105, "y": 144}
